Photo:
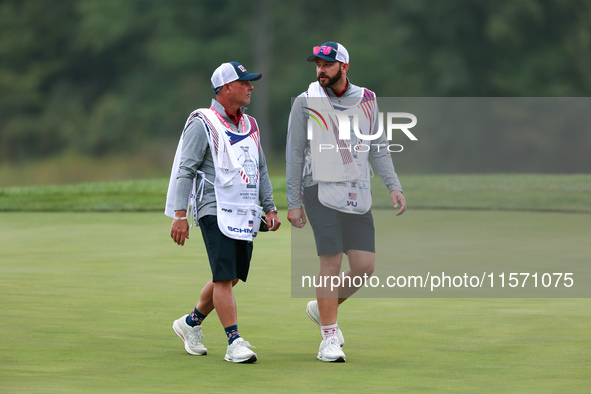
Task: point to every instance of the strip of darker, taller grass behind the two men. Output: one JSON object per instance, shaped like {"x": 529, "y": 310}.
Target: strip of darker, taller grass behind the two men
{"x": 564, "y": 193}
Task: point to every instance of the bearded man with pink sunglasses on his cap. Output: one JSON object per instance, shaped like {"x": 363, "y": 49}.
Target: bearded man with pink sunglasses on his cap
{"x": 334, "y": 174}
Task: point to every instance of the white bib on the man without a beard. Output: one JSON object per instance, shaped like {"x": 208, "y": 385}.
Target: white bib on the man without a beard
{"x": 236, "y": 159}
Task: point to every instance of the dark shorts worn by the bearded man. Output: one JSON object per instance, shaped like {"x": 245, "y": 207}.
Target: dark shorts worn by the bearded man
{"x": 335, "y": 231}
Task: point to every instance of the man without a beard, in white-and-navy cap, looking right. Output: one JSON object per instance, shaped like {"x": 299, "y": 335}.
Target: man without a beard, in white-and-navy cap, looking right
{"x": 221, "y": 173}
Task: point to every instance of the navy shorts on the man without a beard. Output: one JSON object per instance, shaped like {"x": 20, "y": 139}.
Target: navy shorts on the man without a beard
{"x": 228, "y": 258}
